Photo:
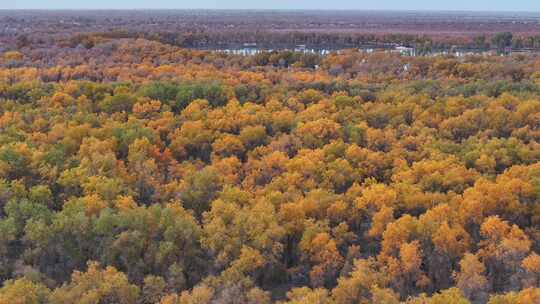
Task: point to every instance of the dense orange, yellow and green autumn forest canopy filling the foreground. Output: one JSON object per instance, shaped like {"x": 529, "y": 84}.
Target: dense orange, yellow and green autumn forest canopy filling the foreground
{"x": 134, "y": 171}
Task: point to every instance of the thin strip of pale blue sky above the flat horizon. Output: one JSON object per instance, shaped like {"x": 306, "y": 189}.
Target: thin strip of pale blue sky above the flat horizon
{"x": 476, "y": 5}
